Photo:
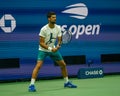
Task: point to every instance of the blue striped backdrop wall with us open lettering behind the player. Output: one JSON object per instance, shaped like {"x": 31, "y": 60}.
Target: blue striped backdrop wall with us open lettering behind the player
{"x": 94, "y": 25}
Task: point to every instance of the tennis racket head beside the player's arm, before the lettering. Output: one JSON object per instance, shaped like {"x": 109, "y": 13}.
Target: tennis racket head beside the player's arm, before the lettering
{"x": 66, "y": 36}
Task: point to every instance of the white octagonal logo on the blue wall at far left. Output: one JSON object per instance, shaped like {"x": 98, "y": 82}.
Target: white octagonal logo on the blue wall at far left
{"x": 7, "y": 18}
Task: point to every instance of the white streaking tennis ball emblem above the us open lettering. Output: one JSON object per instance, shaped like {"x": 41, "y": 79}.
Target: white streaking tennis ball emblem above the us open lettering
{"x": 78, "y": 11}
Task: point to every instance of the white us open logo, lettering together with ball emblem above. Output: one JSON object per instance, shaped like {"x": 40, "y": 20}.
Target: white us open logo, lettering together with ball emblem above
{"x": 79, "y": 11}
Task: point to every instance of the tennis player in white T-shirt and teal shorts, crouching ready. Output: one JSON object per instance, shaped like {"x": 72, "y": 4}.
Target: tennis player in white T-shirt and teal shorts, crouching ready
{"x": 48, "y": 36}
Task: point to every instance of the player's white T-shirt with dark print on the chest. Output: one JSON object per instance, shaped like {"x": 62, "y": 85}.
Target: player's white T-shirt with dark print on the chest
{"x": 50, "y": 35}
